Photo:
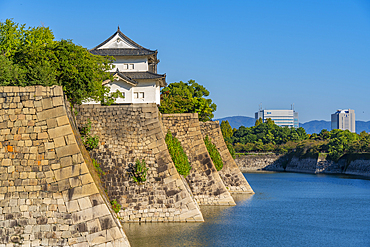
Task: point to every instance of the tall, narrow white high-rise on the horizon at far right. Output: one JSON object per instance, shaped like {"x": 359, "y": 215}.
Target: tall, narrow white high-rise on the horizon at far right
{"x": 343, "y": 120}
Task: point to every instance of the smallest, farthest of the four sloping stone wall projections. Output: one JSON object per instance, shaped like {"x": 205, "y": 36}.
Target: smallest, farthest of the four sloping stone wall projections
{"x": 230, "y": 173}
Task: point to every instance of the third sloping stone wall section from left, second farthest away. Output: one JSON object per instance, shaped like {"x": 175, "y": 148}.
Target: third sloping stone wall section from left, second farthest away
{"x": 204, "y": 180}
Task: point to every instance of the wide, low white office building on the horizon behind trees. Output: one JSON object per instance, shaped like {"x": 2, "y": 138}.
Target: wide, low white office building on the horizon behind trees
{"x": 281, "y": 118}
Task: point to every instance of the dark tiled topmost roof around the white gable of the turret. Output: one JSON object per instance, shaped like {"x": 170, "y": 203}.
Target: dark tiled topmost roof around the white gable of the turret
{"x": 116, "y": 52}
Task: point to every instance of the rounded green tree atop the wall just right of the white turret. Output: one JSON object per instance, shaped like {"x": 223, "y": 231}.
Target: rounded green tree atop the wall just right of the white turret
{"x": 180, "y": 97}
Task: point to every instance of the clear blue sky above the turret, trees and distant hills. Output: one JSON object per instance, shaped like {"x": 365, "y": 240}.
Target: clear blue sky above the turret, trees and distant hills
{"x": 313, "y": 53}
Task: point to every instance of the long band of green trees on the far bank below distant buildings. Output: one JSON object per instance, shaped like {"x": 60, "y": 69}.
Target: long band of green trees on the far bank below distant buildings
{"x": 265, "y": 137}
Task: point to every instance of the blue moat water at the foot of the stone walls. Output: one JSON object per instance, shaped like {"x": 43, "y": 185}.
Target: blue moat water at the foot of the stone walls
{"x": 288, "y": 209}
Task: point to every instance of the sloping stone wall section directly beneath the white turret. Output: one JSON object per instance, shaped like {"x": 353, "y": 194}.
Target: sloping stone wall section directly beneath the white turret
{"x": 133, "y": 132}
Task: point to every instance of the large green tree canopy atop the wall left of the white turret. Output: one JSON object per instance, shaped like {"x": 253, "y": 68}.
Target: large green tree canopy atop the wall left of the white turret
{"x": 31, "y": 56}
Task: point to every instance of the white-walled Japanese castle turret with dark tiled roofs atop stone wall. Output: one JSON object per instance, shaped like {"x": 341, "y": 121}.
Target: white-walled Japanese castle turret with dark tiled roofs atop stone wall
{"x": 135, "y": 72}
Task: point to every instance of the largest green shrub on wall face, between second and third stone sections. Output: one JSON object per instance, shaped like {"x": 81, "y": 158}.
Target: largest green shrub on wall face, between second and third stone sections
{"x": 178, "y": 154}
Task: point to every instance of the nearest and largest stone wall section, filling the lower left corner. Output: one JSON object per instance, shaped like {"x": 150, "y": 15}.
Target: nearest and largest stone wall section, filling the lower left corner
{"x": 48, "y": 196}
